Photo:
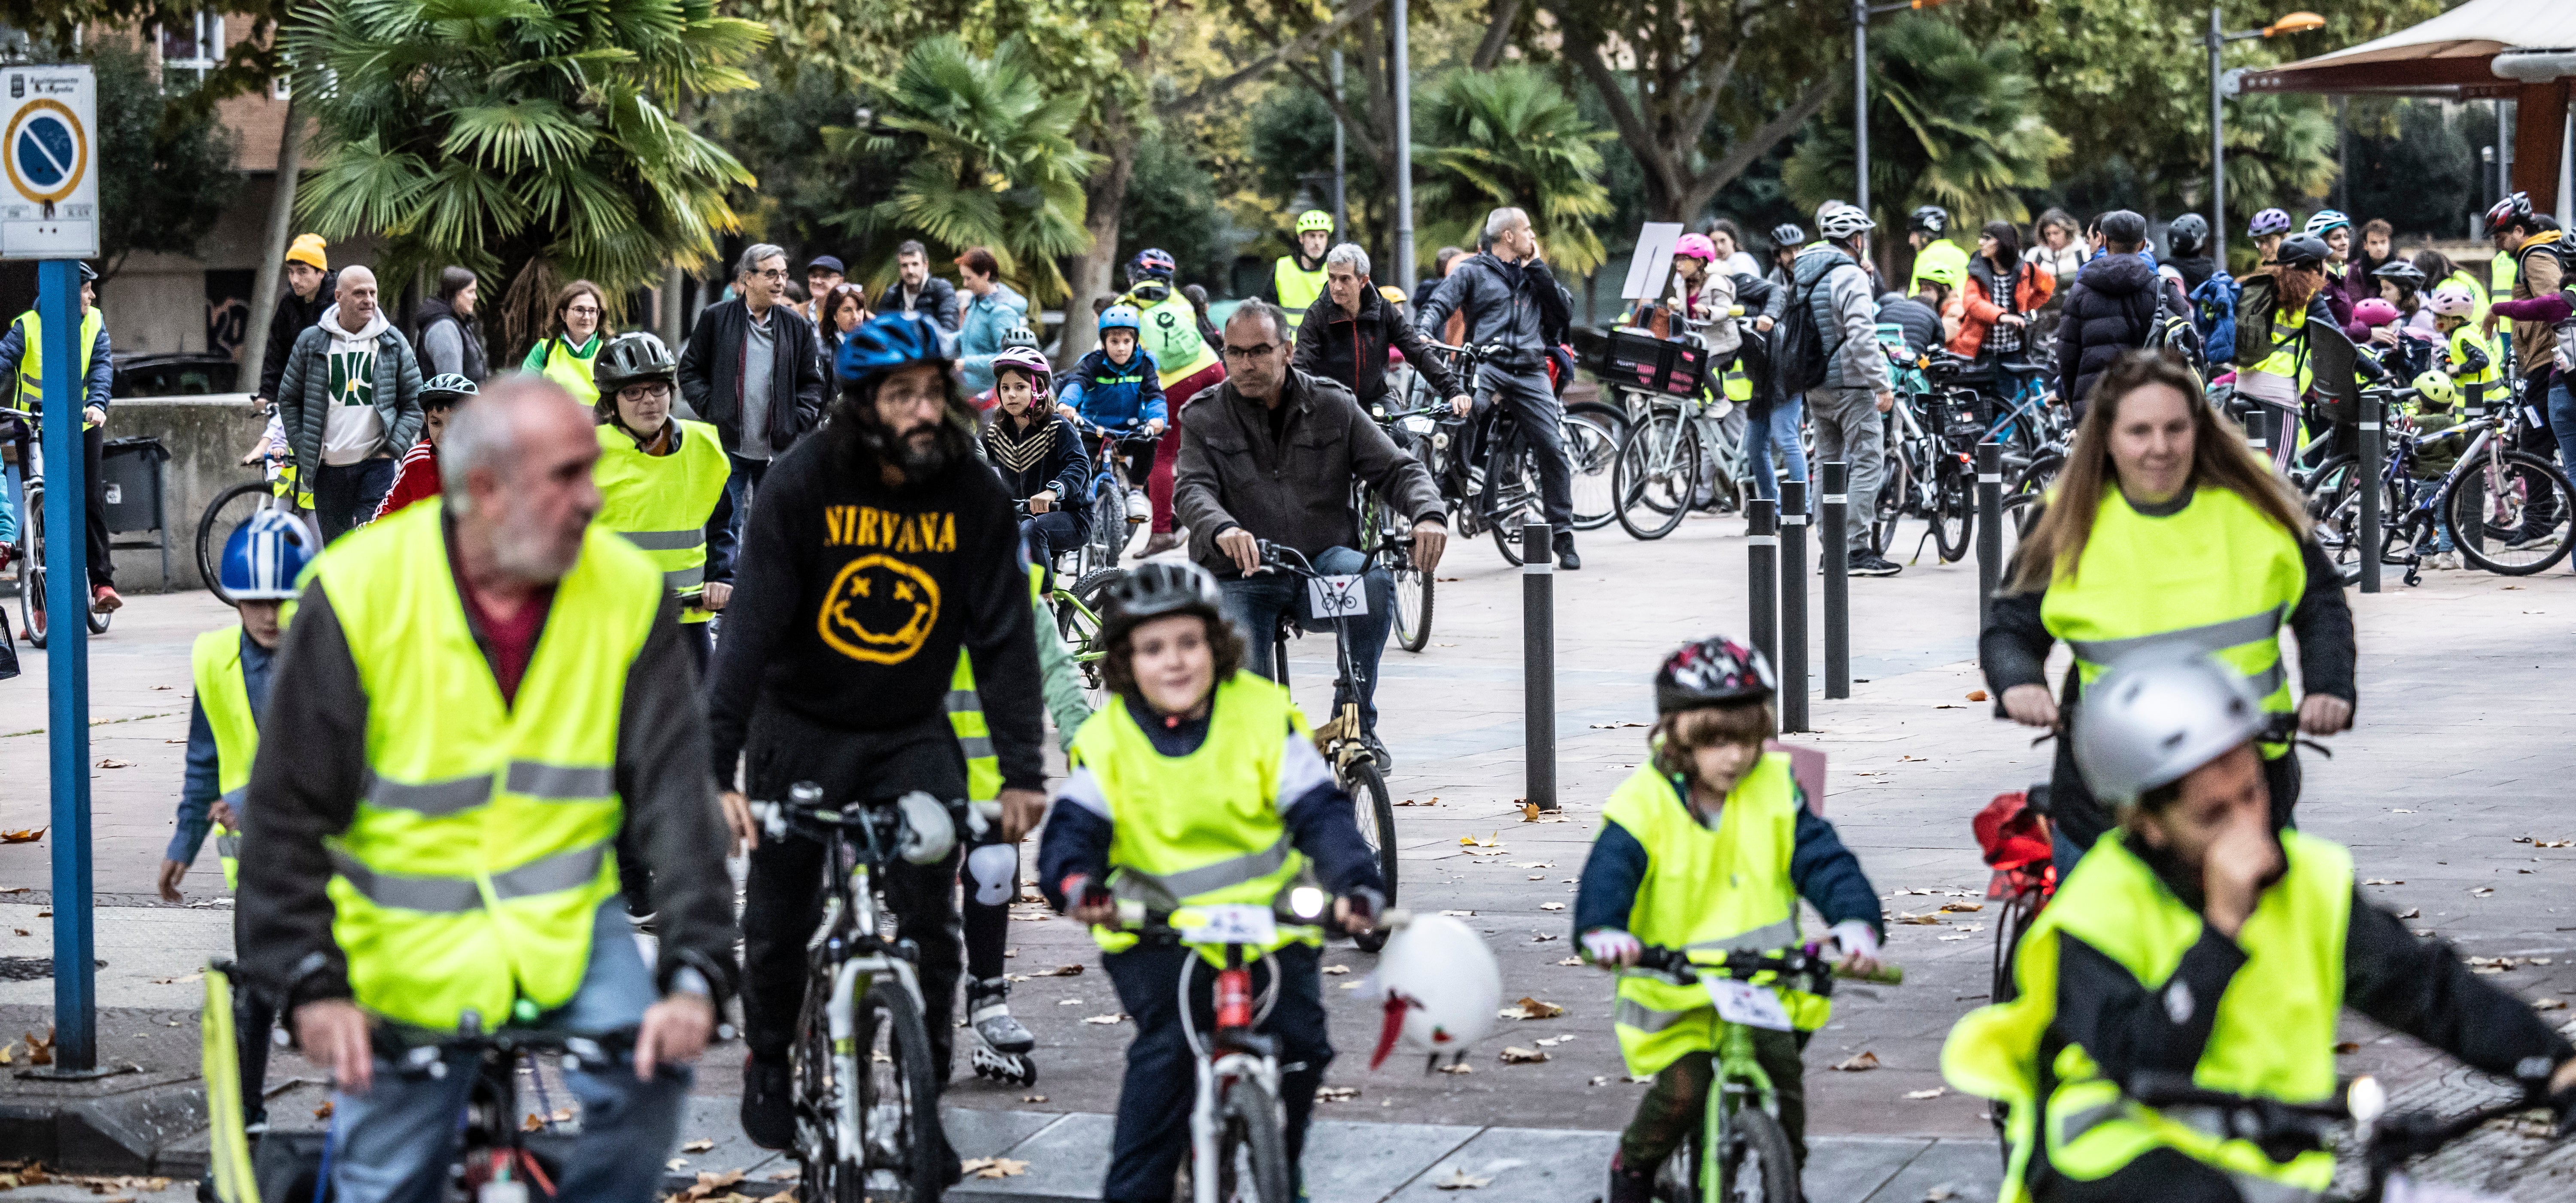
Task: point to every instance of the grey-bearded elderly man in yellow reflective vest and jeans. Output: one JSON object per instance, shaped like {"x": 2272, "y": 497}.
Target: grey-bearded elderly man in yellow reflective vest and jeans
{"x": 480, "y": 697}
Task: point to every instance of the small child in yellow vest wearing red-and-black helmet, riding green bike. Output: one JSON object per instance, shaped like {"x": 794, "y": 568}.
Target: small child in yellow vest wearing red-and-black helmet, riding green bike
{"x": 1712, "y": 846}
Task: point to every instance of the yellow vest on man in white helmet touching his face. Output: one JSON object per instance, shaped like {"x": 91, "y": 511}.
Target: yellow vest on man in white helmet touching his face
{"x": 2273, "y": 1034}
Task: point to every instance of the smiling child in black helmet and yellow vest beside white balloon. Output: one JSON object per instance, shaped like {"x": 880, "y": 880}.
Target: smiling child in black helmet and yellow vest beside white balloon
{"x": 1197, "y": 784}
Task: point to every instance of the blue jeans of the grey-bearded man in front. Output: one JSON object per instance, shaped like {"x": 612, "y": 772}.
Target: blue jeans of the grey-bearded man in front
{"x": 395, "y": 1142}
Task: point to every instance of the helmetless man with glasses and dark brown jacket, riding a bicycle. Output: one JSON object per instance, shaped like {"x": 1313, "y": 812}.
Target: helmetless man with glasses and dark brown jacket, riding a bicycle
{"x": 1271, "y": 455}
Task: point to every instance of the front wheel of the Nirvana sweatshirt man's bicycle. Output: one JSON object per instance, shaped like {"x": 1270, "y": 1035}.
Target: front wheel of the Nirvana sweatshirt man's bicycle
{"x": 905, "y": 1153}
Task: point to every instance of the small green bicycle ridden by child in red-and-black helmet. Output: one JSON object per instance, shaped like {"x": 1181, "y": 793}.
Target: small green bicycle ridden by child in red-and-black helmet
{"x": 1743, "y": 1150}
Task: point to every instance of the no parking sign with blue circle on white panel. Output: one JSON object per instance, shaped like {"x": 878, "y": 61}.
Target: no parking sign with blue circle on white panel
{"x": 50, "y": 164}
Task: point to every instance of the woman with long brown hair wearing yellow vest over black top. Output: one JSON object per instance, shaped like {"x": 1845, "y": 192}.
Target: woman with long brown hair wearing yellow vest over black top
{"x": 2165, "y": 537}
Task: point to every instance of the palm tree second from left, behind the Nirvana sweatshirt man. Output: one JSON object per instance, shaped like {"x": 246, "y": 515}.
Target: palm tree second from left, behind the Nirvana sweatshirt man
{"x": 988, "y": 158}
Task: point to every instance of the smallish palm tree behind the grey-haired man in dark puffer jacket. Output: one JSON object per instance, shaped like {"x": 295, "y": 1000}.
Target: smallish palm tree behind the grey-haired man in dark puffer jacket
{"x": 1511, "y": 138}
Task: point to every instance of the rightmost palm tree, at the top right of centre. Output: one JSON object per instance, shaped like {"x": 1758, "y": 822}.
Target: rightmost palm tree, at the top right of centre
{"x": 1951, "y": 125}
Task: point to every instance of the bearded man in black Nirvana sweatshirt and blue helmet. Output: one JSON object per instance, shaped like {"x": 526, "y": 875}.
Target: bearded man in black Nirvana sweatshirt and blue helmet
{"x": 880, "y": 550}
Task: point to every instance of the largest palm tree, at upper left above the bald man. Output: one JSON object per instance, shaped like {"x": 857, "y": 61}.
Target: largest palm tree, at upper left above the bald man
{"x": 519, "y": 138}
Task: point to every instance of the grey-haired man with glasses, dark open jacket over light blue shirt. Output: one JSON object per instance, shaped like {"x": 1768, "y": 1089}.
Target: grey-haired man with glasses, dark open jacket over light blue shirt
{"x": 753, "y": 370}
